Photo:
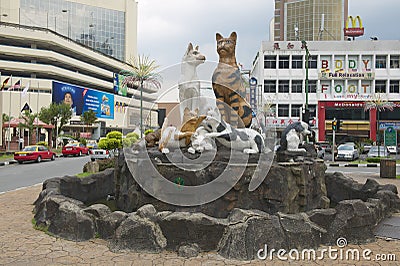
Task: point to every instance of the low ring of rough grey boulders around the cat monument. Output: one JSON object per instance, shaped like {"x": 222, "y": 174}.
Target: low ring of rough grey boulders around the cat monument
{"x": 237, "y": 232}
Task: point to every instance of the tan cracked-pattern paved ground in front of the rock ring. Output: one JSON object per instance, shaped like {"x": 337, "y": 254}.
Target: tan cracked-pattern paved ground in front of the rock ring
{"x": 21, "y": 244}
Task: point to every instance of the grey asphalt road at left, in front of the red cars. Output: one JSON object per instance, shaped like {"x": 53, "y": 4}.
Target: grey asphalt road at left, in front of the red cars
{"x": 22, "y": 175}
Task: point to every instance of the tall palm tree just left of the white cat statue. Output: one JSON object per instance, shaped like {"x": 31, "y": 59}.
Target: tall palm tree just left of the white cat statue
{"x": 142, "y": 71}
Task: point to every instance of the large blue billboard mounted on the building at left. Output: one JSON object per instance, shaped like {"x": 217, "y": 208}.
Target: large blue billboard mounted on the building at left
{"x": 83, "y": 99}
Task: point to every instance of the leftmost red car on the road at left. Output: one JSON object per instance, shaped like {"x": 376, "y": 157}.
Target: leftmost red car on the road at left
{"x": 34, "y": 153}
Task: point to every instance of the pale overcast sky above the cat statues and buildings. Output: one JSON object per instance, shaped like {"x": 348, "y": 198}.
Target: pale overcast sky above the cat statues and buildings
{"x": 165, "y": 27}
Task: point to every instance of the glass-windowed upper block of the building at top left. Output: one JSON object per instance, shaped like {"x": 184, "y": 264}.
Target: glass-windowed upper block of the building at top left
{"x": 107, "y": 27}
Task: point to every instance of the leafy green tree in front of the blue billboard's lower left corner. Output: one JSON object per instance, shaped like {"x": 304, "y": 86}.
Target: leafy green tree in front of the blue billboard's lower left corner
{"x": 56, "y": 114}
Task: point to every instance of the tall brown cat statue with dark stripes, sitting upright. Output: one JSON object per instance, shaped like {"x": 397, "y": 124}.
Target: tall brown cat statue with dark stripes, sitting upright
{"x": 228, "y": 86}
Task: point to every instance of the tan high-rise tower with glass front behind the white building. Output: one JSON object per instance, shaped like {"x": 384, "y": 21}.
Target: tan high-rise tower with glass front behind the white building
{"x": 310, "y": 20}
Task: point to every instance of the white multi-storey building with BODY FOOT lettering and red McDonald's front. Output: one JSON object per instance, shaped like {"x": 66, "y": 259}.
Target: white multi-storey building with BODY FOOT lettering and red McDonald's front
{"x": 342, "y": 77}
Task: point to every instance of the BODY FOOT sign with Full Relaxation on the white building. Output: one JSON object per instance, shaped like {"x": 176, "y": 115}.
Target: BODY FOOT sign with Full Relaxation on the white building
{"x": 346, "y": 78}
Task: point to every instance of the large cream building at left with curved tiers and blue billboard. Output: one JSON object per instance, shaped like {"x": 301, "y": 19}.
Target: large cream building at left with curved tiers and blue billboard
{"x": 51, "y": 61}
